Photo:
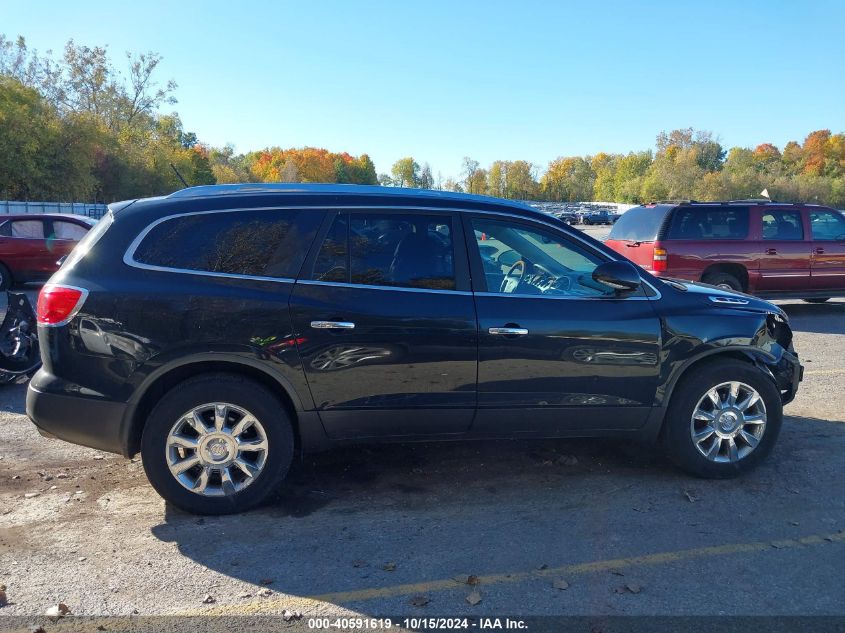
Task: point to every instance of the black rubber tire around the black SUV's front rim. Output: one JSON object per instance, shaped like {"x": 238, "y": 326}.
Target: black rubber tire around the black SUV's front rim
{"x": 699, "y": 380}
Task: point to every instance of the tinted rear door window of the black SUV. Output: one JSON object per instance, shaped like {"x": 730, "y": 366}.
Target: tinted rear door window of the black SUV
{"x": 401, "y": 250}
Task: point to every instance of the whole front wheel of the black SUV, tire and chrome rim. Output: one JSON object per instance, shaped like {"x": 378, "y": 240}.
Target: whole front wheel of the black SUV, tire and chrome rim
{"x": 723, "y": 420}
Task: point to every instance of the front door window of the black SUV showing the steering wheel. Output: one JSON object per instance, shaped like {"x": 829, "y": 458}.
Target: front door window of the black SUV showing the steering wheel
{"x": 521, "y": 260}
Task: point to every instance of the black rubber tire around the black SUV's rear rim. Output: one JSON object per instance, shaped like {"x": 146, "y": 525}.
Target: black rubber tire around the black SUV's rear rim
{"x": 232, "y": 389}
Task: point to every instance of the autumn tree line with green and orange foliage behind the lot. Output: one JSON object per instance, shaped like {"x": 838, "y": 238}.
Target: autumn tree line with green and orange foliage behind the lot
{"x": 78, "y": 128}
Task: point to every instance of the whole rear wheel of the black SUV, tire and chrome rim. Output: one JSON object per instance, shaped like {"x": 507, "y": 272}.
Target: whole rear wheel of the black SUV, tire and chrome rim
{"x": 217, "y": 444}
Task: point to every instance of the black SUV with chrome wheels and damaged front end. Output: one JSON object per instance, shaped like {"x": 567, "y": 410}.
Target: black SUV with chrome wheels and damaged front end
{"x": 221, "y": 329}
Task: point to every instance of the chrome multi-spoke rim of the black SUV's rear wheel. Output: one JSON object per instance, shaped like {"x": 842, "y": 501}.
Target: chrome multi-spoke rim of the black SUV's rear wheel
{"x": 216, "y": 449}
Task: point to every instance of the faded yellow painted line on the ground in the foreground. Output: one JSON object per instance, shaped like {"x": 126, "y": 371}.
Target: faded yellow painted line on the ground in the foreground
{"x": 275, "y": 605}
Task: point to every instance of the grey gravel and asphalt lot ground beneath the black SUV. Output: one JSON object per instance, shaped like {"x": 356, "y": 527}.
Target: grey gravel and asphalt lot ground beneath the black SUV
{"x": 370, "y": 530}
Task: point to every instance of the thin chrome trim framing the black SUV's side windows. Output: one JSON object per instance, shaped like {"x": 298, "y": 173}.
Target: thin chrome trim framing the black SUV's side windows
{"x": 129, "y": 255}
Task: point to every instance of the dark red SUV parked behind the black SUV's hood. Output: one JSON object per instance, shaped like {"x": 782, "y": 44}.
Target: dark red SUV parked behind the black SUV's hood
{"x": 769, "y": 249}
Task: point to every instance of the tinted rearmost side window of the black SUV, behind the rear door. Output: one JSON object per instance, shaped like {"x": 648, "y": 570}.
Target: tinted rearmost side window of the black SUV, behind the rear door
{"x": 264, "y": 243}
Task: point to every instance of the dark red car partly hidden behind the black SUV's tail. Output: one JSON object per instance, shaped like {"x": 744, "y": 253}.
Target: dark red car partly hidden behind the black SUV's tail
{"x": 31, "y": 245}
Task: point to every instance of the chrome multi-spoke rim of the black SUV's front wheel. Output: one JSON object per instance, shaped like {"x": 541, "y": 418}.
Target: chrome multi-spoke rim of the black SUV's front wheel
{"x": 728, "y": 422}
